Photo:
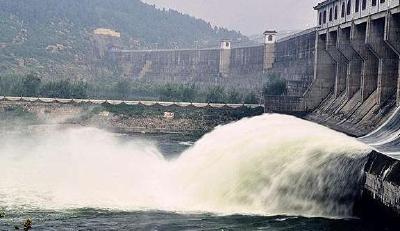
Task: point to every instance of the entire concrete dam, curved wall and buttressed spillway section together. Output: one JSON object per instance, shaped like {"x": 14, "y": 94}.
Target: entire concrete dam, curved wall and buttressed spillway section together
{"x": 343, "y": 74}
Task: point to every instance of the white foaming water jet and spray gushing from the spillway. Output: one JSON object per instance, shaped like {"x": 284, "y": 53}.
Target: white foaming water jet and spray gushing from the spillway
{"x": 271, "y": 164}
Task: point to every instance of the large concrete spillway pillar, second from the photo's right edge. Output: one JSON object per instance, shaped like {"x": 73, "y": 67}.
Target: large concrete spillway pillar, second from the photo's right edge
{"x": 388, "y": 68}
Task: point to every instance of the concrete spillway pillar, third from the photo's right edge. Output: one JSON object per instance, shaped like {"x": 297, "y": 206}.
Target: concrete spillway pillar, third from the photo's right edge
{"x": 369, "y": 74}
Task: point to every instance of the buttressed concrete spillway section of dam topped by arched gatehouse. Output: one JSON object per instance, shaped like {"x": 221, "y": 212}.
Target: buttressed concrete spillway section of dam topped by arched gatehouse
{"x": 355, "y": 89}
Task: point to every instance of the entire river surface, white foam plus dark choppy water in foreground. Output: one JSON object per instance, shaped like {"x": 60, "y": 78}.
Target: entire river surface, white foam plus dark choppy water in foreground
{"x": 270, "y": 172}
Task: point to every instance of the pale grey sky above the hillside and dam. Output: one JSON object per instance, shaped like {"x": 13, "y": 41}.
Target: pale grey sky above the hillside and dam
{"x": 248, "y": 16}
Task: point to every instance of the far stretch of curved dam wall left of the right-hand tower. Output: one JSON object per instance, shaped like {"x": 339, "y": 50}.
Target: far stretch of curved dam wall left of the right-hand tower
{"x": 230, "y": 67}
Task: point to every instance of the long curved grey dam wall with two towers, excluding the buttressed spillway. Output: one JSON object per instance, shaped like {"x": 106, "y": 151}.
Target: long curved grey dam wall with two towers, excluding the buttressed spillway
{"x": 246, "y": 68}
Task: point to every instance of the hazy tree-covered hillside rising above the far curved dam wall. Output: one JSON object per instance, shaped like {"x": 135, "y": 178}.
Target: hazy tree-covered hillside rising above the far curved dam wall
{"x": 53, "y": 37}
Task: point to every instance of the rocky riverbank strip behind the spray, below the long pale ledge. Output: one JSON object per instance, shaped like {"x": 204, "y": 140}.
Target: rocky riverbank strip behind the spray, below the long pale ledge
{"x": 123, "y": 118}
